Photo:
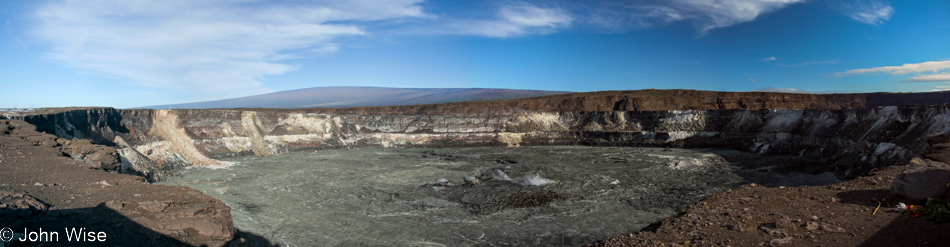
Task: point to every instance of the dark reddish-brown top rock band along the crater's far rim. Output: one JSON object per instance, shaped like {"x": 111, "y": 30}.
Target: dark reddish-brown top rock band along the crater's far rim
{"x": 662, "y": 100}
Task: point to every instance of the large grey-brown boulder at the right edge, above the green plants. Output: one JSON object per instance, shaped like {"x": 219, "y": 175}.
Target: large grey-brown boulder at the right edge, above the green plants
{"x": 921, "y": 179}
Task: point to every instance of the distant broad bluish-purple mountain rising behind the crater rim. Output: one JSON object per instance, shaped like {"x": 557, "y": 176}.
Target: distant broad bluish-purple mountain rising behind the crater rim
{"x": 340, "y": 97}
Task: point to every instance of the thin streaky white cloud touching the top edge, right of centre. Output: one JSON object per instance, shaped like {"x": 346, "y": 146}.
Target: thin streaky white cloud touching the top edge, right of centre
{"x": 704, "y": 14}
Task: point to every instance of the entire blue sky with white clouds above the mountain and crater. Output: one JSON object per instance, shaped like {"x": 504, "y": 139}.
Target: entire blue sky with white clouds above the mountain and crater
{"x": 138, "y": 53}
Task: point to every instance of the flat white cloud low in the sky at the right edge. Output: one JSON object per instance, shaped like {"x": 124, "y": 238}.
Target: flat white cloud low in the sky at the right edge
{"x": 926, "y": 72}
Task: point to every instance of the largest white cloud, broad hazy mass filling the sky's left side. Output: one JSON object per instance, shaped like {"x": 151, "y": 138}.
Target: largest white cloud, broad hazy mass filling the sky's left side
{"x": 207, "y": 46}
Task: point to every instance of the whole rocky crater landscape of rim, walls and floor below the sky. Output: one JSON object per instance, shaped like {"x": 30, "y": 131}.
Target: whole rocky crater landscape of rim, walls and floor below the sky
{"x": 614, "y": 168}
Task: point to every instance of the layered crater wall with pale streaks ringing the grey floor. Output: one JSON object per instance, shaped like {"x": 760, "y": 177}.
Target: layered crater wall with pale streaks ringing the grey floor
{"x": 850, "y": 132}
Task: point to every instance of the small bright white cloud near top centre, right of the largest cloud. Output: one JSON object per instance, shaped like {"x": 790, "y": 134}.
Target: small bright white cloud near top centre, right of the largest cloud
{"x": 513, "y": 20}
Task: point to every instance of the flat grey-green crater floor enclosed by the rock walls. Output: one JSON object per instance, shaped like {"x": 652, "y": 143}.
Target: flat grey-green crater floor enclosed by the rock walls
{"x": 556, "y": 195}
